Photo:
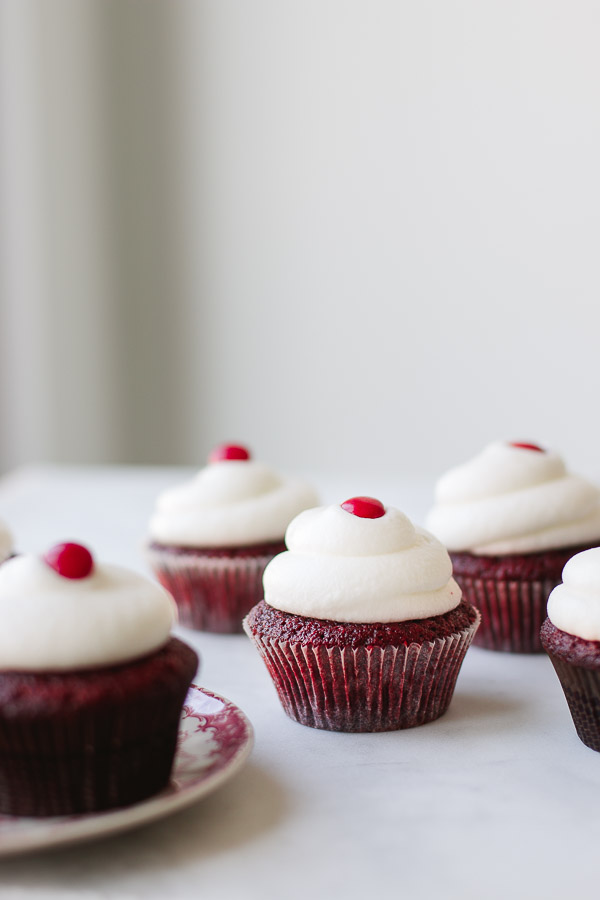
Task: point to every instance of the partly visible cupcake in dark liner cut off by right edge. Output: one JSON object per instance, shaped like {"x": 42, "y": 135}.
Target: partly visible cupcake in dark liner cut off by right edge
{"x": 571, "y": 638}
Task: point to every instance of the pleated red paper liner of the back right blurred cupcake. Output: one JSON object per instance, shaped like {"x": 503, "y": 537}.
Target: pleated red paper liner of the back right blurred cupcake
{"x": 512, "y": 612}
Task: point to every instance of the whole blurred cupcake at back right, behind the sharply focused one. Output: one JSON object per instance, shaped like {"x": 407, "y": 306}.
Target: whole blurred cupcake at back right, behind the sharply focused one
{"x": 511, "y": 518}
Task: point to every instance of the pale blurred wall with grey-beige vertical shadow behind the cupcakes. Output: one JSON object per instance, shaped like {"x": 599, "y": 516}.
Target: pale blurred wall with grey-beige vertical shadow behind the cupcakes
{"x": 356, "y": 236}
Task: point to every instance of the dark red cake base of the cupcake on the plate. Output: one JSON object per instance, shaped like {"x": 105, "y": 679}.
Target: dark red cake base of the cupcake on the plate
{"x": 94, "y": 739}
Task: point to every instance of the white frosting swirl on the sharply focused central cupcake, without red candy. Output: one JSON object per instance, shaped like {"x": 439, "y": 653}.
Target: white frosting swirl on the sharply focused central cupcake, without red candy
{"x": 349, "y": 569}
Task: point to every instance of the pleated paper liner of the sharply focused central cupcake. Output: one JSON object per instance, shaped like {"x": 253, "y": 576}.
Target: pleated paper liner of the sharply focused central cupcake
{"x": 367, "y": 688}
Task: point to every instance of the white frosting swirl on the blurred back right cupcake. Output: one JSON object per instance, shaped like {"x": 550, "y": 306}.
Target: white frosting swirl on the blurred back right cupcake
{"x": 514, "y": 500}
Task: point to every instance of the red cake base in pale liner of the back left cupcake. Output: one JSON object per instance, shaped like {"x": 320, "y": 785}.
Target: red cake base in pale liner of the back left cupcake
{"x": 214, "y": 588}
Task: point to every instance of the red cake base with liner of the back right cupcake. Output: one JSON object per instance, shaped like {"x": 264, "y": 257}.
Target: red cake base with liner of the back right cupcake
{"x": 511, "y": 593}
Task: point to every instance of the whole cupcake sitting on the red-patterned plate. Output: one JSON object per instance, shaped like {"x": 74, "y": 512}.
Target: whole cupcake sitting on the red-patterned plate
{"x": 91, "y": 685}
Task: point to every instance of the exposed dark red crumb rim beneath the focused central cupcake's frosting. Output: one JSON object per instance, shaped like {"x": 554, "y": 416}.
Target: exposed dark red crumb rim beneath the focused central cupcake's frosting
{"x": 272, "y": 623}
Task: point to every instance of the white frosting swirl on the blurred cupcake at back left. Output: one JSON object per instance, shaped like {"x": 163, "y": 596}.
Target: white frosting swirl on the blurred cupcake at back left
{"x": 229, "y": 503}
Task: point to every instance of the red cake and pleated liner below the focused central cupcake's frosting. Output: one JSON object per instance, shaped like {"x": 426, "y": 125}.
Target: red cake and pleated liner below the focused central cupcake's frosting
{"x": 362, "y": 677}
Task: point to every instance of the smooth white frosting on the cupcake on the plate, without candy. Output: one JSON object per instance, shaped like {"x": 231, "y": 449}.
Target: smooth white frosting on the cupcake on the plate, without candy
{"x": 51, "y": 623}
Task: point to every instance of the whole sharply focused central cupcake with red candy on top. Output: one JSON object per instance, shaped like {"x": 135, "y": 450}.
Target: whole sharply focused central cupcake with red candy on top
{"x": 362, "y": 627}
